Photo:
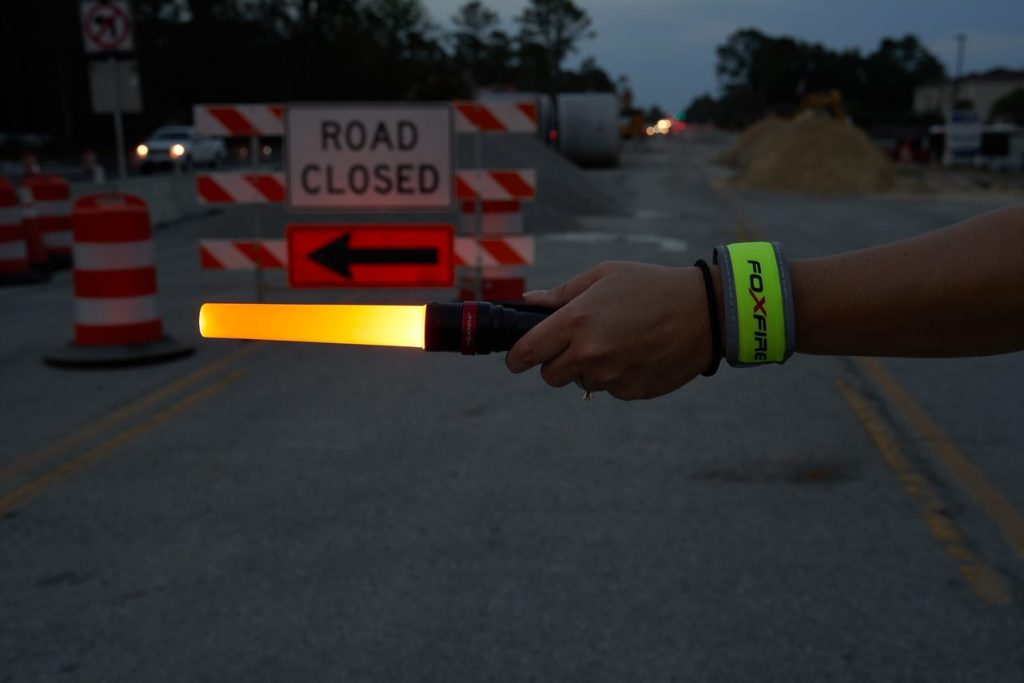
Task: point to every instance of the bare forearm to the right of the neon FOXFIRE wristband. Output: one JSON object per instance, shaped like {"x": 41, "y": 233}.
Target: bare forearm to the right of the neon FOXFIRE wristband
{"x": 953, "y": 292}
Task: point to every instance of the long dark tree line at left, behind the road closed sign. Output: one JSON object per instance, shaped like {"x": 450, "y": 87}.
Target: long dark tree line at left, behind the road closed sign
{"x": 193, "y": 52}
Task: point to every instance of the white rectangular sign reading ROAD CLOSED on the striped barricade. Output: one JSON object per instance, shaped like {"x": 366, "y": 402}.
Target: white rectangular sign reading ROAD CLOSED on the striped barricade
{"x": 360, "y": 158}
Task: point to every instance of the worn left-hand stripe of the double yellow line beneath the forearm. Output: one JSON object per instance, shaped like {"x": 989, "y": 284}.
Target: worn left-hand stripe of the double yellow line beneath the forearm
{"x": 987, "y": 583}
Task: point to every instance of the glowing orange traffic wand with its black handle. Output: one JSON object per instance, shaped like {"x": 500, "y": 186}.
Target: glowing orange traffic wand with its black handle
{"x": 472, "y": 327}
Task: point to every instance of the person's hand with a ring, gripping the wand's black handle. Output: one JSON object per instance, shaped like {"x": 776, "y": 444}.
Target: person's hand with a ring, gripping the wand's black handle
{"x": 634, "y": 330}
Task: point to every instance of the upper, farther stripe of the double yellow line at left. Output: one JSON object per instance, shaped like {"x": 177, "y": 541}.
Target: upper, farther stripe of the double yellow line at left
{"x": 63, "y": 445}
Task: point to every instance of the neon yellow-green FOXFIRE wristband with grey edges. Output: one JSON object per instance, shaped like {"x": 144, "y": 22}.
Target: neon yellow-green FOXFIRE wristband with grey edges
{"x": 760, "y": 326}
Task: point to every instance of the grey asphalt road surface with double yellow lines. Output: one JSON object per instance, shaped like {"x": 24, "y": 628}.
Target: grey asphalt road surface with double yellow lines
{"x": 261, "y": 513}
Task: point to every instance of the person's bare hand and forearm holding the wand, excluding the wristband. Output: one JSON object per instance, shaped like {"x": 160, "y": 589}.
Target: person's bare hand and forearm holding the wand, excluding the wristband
{"x": 641, "y": 331}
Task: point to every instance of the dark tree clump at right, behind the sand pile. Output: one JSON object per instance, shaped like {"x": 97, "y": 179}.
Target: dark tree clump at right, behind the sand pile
{"x": 761, "y": 74}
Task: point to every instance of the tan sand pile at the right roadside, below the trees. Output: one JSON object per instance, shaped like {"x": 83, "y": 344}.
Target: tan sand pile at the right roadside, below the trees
{"x": 812, "y": 154}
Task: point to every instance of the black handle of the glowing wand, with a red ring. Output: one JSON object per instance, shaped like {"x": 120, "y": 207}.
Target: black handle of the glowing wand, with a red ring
{"x": 479, "y": 327}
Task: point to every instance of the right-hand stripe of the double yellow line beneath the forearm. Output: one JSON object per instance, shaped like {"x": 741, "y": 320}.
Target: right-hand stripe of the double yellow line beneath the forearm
{"x": 997, "y": 506}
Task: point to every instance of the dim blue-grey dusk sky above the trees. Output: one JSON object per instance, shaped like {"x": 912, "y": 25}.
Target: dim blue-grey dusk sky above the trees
{"x": 667, "y": 48}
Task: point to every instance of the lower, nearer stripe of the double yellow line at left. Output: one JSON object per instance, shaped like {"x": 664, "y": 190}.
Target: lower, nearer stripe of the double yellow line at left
{"x": 36, "y": 487}
